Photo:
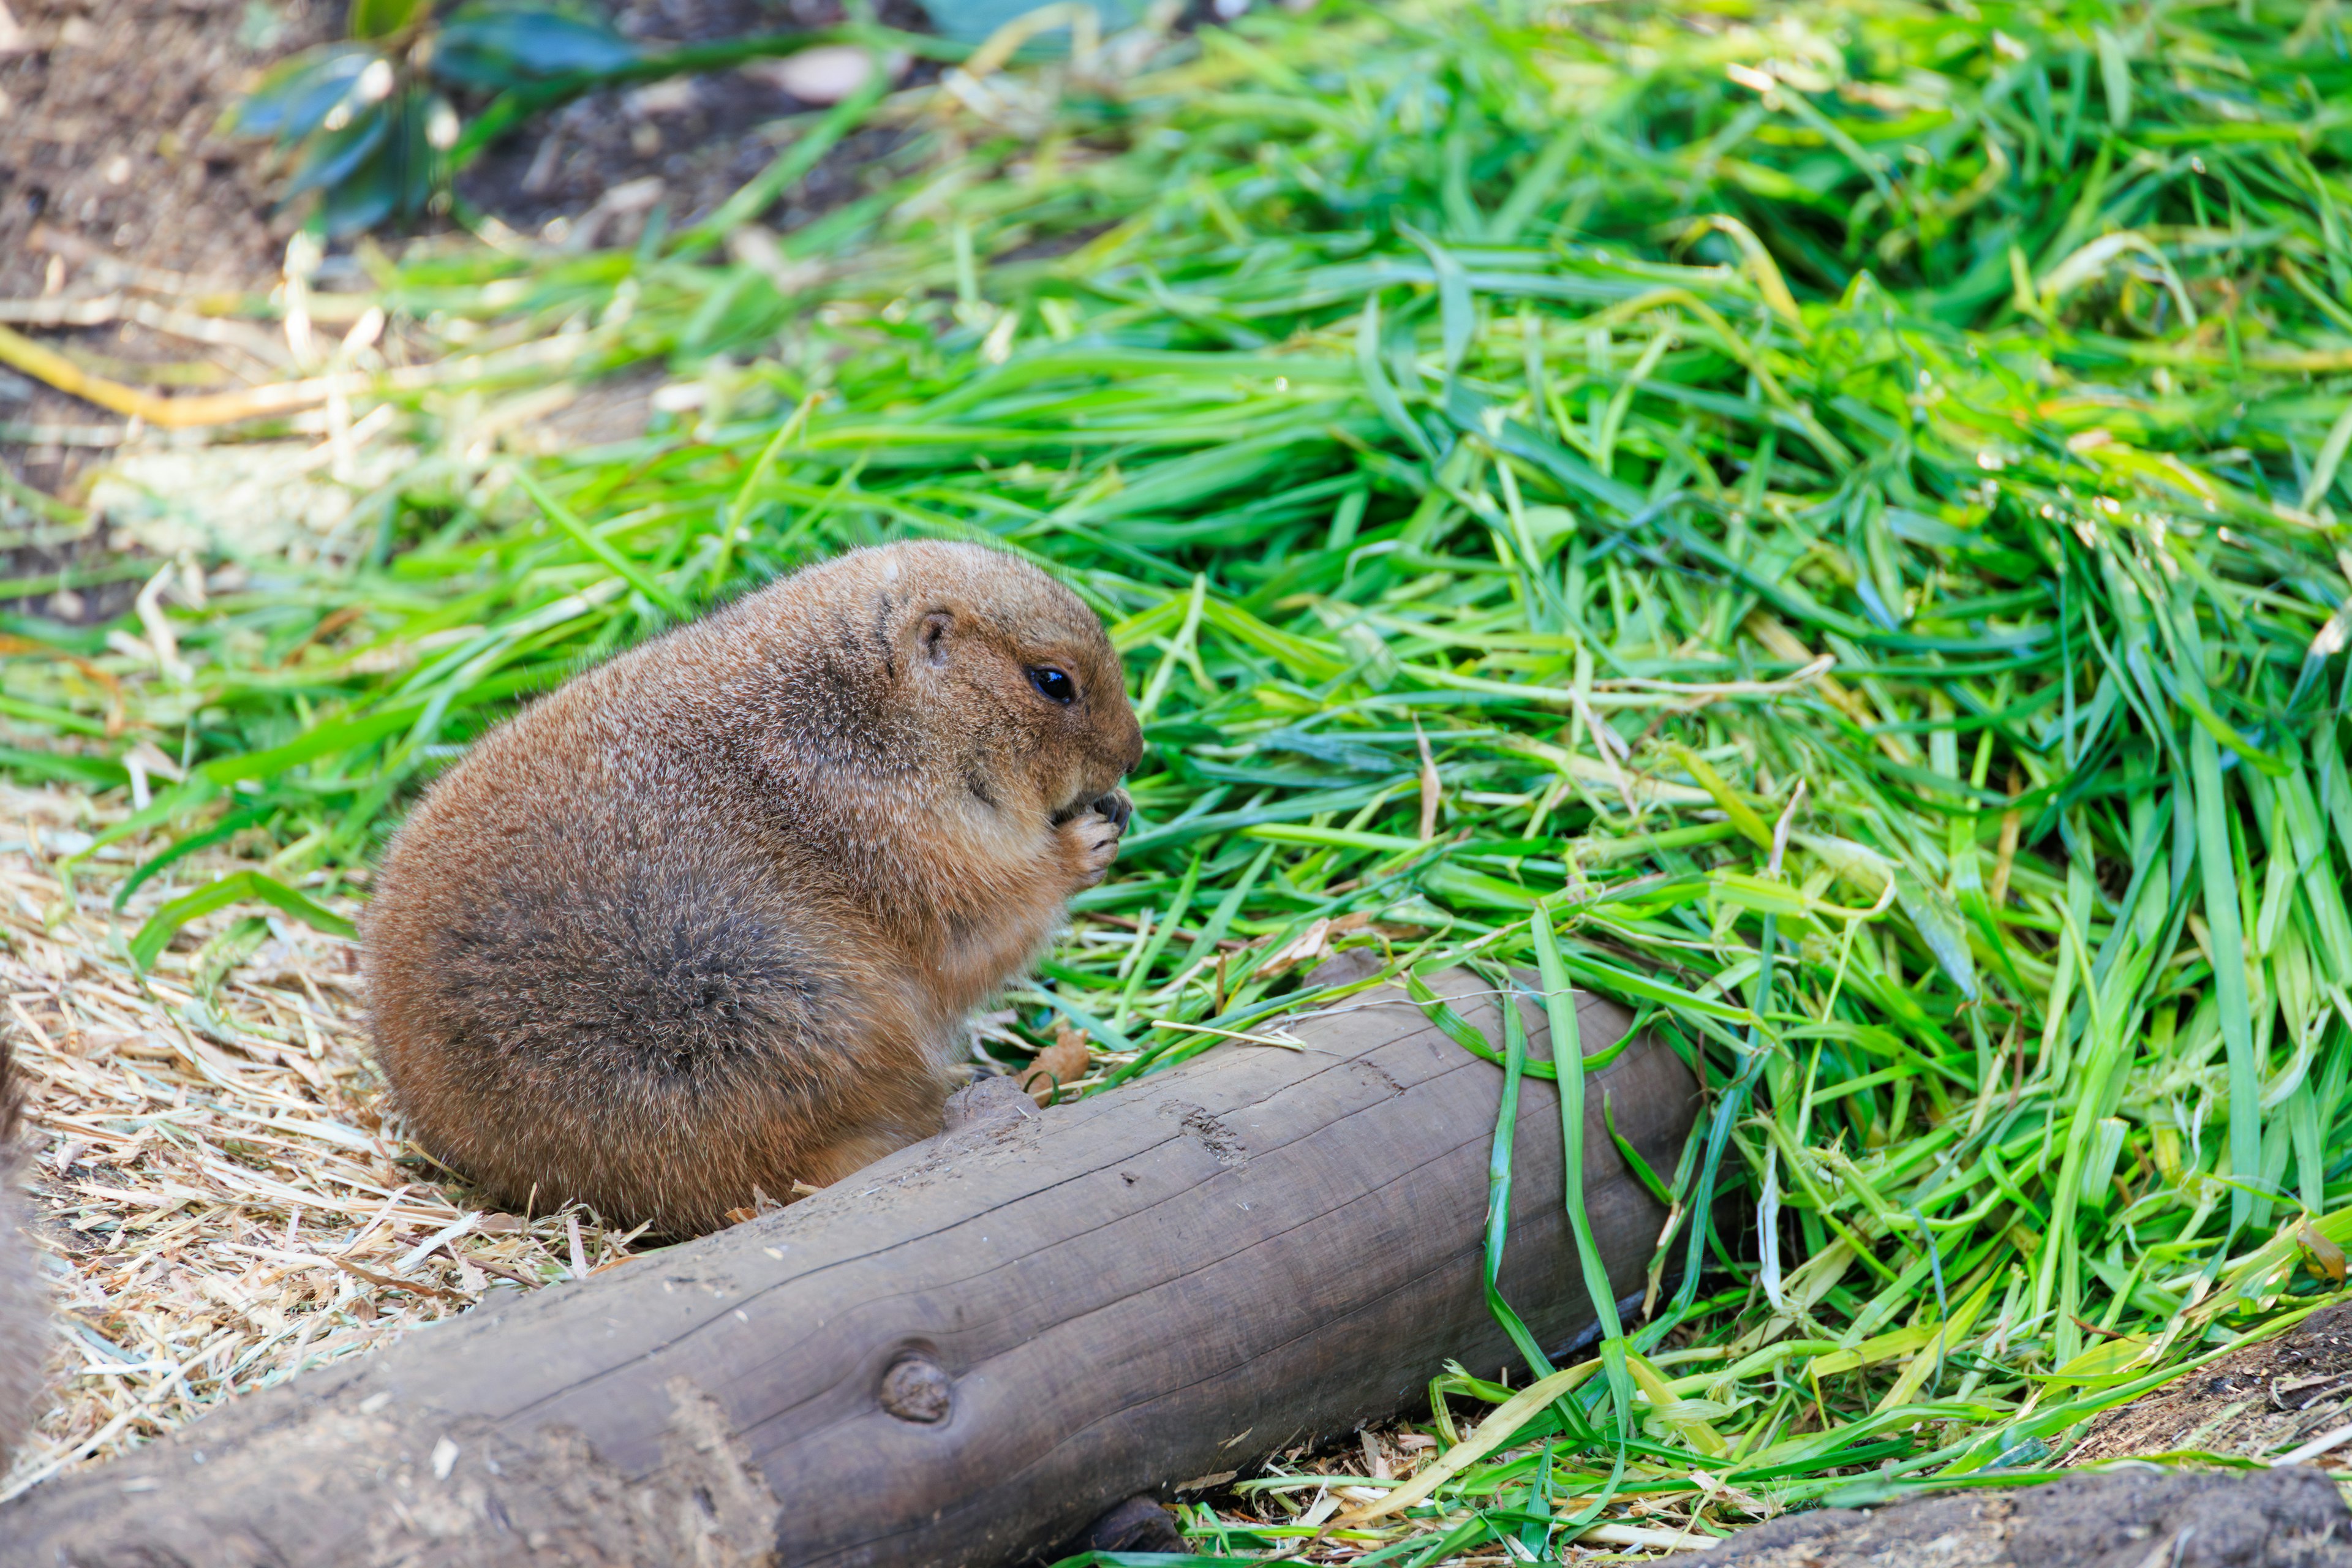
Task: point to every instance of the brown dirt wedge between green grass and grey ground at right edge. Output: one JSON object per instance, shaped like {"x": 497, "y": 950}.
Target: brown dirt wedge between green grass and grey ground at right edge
{"x": 2252, "y": 1402}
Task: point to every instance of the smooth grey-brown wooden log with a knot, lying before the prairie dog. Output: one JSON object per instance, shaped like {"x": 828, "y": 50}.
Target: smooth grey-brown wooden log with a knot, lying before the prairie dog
{"x": 956, "y": 1358}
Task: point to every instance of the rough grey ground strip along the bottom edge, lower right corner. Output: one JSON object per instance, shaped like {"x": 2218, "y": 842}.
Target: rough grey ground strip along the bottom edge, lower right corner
{"x": 2118, "y": 1520}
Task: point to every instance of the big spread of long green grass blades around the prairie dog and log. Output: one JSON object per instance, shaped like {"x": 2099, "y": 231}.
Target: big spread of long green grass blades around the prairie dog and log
{"x": 1563, "y": 391}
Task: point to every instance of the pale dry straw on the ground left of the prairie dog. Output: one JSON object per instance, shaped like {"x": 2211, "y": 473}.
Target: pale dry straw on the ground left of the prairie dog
{"x": 220, "y": 1188}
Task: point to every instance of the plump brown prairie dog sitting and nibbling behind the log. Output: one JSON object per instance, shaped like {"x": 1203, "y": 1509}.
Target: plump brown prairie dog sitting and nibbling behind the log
{"x": 711, "y": 916}
